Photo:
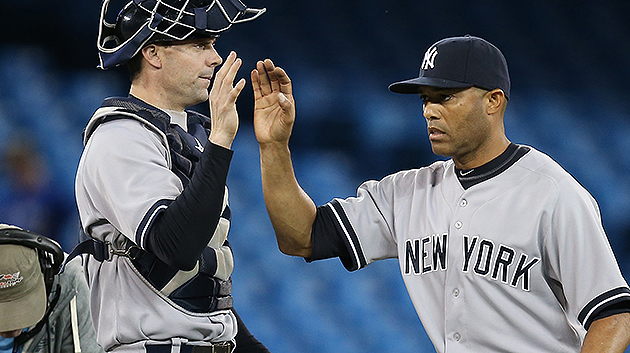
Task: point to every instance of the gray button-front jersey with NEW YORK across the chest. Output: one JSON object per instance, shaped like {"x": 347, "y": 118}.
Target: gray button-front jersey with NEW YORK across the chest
{"x": 514, "y": 261}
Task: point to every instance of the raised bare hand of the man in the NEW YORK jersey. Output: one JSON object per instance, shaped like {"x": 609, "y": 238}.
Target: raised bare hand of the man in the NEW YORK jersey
{"x": 274, "y": 106}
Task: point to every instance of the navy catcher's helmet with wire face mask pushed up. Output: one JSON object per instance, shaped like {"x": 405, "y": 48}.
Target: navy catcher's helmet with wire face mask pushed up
{"x": 142, "y": 22}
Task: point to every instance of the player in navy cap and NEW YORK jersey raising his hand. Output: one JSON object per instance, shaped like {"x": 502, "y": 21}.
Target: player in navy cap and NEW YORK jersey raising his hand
{"x": 501, "y": 250}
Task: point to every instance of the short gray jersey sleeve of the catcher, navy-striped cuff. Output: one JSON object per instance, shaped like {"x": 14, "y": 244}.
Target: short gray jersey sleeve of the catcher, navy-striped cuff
{"x": 125, "y": 176}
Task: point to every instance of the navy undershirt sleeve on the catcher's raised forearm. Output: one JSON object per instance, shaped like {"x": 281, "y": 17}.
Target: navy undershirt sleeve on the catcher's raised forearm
{"x": 182, "y": 231}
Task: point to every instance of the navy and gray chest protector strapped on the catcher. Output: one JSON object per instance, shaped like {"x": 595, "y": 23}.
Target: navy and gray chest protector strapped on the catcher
{"x": 196, "y": 290}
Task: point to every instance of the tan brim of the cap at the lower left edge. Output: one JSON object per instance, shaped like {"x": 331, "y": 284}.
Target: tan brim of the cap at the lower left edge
{"x": 25, "y": 311}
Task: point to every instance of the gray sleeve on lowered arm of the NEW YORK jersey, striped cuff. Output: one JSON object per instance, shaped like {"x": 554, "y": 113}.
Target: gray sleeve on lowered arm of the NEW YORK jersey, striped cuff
{"x": 581, "y": 259}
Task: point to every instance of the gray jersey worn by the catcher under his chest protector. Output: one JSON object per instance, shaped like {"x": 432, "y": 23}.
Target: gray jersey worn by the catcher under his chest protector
{"x": 122, "y": 182}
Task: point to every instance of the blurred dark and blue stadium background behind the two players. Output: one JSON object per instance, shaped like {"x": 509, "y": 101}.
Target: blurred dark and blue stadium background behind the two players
{"x": 569, "y": 67}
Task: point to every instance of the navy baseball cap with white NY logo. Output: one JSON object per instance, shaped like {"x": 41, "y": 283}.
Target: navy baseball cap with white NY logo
{"x": 460, "y": 62}
